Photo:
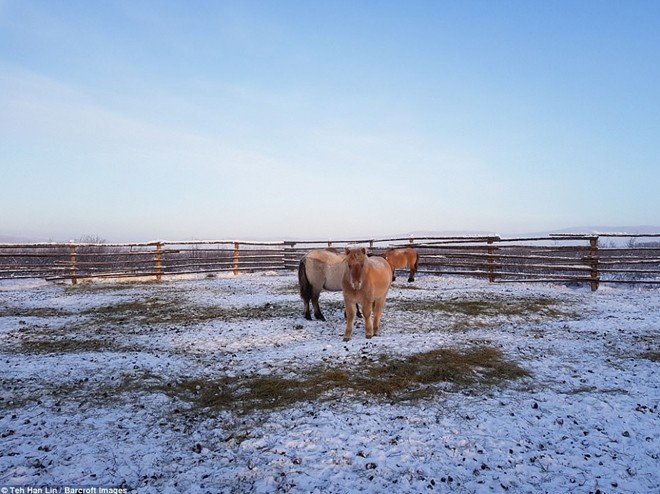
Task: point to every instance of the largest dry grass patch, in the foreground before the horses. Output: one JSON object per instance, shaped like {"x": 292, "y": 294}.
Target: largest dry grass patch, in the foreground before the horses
{"x": 395, "y": 379}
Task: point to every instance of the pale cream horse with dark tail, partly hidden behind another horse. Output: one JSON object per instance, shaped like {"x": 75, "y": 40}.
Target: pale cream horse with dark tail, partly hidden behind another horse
{"x": 319, "y": 269}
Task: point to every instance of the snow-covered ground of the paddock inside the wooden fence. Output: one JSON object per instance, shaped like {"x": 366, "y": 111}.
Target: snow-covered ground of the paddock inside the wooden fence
{"x": 102, "y": 386}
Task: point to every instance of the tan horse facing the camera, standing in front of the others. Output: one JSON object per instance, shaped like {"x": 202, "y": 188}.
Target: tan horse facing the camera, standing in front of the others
{"x": 365, "y": 282}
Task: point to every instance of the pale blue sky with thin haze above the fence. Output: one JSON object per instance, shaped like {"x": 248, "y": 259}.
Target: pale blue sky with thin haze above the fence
{"x": 143, "y": 120}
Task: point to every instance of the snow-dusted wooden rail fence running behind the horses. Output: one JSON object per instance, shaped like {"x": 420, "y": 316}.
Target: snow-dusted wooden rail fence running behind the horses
{"x": 579, "y": 258}
